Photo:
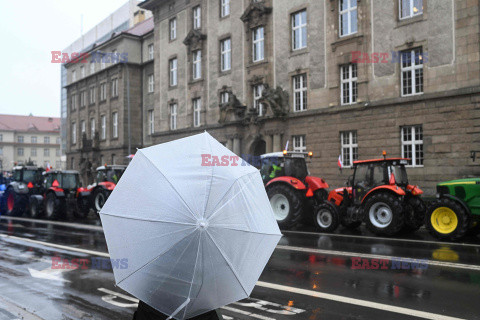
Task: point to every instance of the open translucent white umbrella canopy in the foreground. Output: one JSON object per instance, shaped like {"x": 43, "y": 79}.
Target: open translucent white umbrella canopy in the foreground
{"x": 195, "y": 224}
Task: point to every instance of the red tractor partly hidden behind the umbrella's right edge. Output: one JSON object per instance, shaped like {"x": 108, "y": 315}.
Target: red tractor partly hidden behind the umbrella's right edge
{"x": 293, "y": 193}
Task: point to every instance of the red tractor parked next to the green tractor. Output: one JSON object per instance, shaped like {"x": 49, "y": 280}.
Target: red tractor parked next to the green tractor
{"x": 379, "y": 194}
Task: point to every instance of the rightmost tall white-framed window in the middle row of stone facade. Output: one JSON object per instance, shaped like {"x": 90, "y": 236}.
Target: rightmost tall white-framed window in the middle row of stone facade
{"x": 412, "y": 72}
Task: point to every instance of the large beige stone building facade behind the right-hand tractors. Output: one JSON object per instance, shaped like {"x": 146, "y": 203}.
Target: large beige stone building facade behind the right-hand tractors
{"x": 336, "y": 77}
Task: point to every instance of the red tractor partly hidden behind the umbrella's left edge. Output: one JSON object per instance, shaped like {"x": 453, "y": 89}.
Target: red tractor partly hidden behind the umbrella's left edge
{"x": 106, "y": 180}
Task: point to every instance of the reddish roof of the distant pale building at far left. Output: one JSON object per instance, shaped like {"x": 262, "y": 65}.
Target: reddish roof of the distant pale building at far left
{"x": 29, "y": 123}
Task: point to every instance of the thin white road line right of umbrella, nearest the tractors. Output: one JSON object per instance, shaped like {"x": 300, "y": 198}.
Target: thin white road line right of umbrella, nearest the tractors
{"x": 376, "y": 256}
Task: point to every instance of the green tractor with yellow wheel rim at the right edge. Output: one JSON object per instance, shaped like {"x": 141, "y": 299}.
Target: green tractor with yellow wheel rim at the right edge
{"x": 456, "y": 210}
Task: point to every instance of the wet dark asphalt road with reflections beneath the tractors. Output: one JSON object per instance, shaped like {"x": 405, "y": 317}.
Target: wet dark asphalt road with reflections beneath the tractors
{"x": 310, "y": 276}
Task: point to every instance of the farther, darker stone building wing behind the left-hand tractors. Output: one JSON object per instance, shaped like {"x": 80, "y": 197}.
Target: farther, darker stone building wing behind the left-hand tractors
{"x": 116, "y": 72}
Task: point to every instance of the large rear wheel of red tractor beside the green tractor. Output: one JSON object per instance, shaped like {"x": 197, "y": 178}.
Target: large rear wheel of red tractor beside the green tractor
{"x": 384, "y": 214}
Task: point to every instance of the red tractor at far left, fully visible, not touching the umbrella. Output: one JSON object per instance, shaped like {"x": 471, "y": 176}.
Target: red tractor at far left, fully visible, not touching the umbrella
{"x": 61, "y": 192}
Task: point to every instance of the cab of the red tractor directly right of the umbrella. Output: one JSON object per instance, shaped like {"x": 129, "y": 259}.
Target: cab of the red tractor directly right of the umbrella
{"x": 284, "y": 164}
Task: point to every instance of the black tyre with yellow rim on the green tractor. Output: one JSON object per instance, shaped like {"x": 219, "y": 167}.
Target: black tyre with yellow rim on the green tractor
{"x": 446, "y": 219}
